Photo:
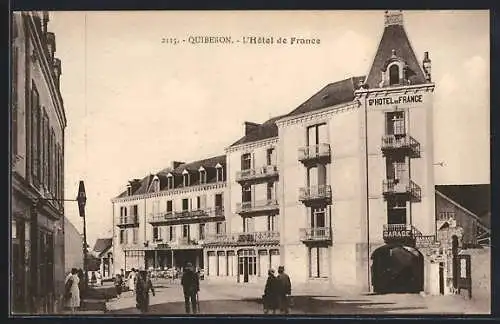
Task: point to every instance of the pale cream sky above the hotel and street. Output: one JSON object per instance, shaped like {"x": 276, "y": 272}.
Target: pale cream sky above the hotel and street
{"x": 134, "y": 103}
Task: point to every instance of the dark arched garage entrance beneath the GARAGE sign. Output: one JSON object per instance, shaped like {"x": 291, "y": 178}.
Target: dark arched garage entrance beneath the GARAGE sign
{"x": 397, "y": 269}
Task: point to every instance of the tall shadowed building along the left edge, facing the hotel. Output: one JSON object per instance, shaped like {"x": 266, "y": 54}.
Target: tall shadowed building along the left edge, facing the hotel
{"x": 38, "y": 123}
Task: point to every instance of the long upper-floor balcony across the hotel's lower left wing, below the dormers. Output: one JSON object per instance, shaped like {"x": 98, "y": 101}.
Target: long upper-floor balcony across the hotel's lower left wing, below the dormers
{"x": 187, "y": 216}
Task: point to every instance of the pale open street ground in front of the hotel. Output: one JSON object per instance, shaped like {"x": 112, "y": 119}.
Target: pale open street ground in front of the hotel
{"x": 227, "y": 298}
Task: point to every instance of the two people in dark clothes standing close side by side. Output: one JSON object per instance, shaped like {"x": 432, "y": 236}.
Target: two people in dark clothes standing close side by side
{"x": 277, "y": 292}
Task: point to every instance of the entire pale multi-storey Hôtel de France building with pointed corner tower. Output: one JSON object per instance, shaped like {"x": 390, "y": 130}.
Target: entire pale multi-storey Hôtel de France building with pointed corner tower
{"x": 330, "y": 190}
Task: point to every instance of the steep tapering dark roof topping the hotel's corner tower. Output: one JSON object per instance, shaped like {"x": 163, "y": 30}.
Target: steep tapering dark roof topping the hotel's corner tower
{"x": 394, "y": 38}
